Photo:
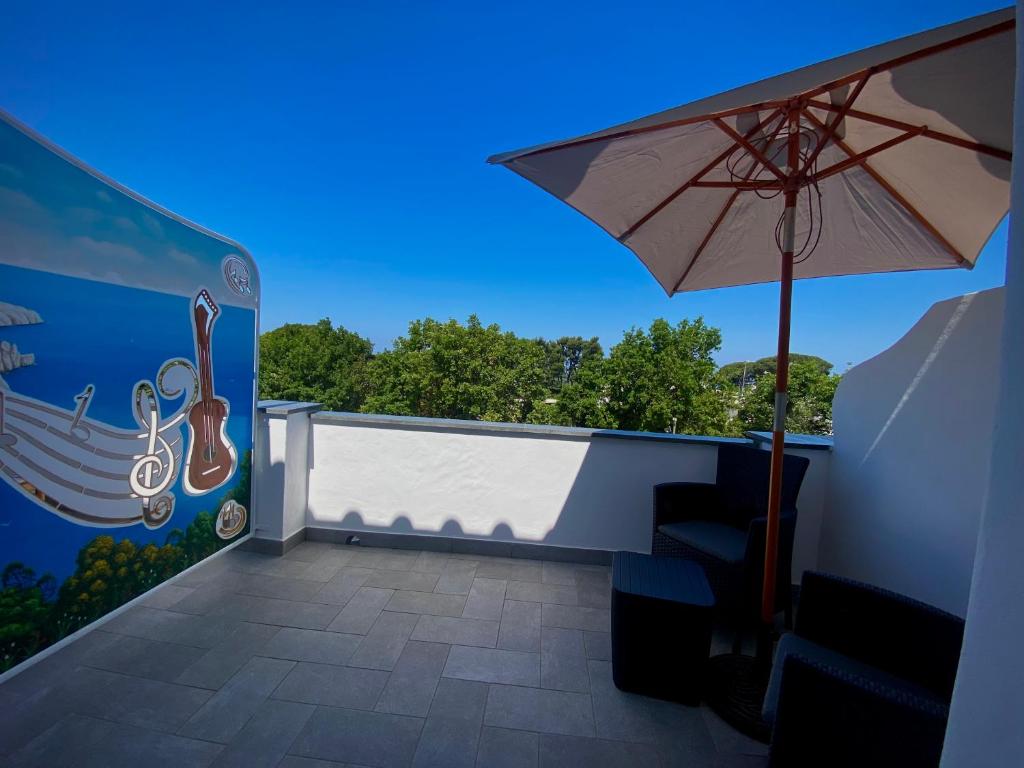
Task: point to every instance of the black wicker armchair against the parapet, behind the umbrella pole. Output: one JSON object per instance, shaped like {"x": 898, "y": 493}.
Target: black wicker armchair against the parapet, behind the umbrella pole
{"x": 722, "y": 527}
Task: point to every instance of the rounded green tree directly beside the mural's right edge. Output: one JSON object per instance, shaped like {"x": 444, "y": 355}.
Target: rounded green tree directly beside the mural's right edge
{"x": 314, "y": 363}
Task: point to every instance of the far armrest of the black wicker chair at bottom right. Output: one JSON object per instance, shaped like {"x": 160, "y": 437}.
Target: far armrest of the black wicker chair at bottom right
{"x": 903, "y": 636}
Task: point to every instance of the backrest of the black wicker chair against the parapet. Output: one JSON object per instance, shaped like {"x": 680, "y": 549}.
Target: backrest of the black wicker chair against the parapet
{"x": 743, "y": 479}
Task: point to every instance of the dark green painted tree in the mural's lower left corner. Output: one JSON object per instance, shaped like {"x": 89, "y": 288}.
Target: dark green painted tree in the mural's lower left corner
{"x": 26, "y": 603}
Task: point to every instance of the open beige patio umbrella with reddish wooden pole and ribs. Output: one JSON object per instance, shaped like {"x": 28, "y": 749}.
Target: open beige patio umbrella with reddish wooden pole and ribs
{"x": 889, "y": 159}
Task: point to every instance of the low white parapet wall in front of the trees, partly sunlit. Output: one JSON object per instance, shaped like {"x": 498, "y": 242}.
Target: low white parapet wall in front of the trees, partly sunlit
{"x": 530, "y": 485}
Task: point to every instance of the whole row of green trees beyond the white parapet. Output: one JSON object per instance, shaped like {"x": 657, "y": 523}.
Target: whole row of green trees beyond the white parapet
{"x": 663, "y": 378}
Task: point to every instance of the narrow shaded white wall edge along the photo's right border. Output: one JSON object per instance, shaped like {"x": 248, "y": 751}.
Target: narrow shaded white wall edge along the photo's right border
{"x": 987, "y": 720}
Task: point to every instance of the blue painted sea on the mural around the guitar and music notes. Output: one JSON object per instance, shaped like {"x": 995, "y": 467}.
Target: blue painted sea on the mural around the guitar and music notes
{"x": 112, "y": 337}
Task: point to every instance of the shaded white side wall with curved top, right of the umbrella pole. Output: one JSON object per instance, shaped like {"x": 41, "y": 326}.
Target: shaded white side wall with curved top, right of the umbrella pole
{"x": 910, "y": 467}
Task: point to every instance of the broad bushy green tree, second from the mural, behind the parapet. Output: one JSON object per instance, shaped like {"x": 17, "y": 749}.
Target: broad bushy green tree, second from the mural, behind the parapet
{"x": 455, "y": 371}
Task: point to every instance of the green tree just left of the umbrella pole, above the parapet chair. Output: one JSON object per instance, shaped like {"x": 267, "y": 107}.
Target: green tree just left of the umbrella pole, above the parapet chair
{"x": 667, "y": 374}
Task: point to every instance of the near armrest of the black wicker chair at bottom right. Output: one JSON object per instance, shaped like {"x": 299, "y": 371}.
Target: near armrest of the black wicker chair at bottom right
{"x": 829, "y": 716}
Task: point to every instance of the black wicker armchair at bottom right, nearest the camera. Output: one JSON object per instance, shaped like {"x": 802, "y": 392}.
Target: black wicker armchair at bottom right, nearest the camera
{"x": 866, "y": 679}
